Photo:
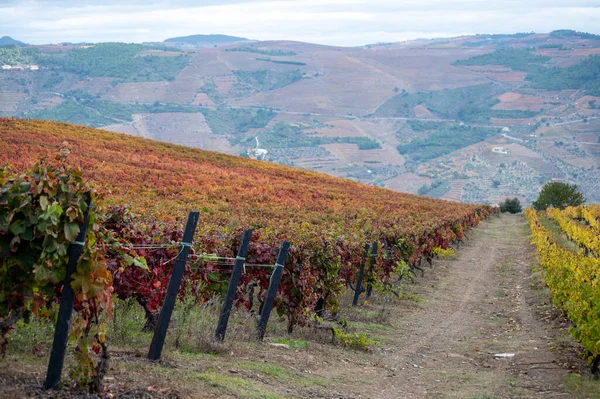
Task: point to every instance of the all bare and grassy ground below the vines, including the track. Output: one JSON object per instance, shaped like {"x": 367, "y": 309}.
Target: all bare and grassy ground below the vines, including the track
{"x": 445, "y": 341}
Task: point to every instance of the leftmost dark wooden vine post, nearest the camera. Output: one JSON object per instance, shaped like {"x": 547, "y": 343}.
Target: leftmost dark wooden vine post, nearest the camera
{"x": 61, "y": 332}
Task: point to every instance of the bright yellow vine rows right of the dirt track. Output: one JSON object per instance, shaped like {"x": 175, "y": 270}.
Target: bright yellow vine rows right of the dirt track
{"x": 572, "y": 273}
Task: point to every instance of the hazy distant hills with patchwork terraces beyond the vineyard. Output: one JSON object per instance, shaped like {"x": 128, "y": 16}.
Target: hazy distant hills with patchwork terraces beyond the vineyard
{"x": 473, "y": 118}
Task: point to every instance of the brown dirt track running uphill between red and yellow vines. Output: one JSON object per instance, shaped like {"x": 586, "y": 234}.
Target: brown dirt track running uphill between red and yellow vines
{"x": 485, "y": 302}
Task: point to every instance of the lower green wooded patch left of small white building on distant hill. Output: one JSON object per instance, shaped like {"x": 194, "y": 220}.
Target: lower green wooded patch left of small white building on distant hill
{"x": 444, "y": 141}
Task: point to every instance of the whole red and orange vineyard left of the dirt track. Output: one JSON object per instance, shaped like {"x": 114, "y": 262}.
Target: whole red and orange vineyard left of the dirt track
{"x": 142, "y": 190}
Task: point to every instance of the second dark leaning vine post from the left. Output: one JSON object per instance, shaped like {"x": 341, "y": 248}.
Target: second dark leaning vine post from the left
{"x": 160, "y": 332}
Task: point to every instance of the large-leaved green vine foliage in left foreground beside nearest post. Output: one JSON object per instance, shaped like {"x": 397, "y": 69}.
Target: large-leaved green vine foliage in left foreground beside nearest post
{"x": 39, "y": 215}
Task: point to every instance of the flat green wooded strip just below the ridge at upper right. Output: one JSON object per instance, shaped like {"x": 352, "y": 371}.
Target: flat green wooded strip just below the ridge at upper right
{"x": 514, "y": 58}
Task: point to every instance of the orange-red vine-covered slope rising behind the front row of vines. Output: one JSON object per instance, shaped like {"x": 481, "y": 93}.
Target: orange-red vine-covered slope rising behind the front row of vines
{"x": 164, "y": 181}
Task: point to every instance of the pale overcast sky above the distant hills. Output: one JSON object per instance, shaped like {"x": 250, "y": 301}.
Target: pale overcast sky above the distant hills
{"x": 336, "y": 22}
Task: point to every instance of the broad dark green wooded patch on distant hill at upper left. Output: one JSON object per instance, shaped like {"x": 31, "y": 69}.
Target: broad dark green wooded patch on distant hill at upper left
{"x": 118, "y": 60}
